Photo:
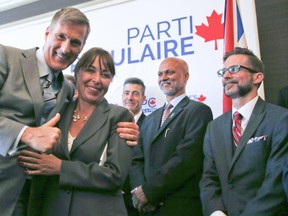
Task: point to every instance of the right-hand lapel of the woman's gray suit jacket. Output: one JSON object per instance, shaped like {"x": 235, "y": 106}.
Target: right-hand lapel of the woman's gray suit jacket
{"x": 90, "y": 128}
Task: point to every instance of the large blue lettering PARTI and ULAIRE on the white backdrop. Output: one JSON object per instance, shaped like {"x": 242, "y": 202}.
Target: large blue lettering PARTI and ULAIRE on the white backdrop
{"x": 166, "y": 38}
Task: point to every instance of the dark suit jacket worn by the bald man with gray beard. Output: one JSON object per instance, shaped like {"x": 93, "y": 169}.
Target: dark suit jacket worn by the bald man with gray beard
{"x": 168, "y": 160}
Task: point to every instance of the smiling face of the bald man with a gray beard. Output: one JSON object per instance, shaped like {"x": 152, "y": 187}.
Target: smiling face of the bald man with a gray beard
{"x": 172, "y": 77}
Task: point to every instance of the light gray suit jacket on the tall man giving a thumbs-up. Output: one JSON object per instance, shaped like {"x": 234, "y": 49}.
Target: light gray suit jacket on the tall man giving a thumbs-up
{"x": 21, "y": 104}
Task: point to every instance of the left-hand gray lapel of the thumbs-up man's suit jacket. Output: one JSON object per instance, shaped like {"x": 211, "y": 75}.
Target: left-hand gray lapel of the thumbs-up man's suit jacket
{"x": 31, "y": 77}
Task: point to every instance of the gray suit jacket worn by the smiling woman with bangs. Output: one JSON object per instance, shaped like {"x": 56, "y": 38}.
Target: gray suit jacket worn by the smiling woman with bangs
{"x": 83, "y": 186}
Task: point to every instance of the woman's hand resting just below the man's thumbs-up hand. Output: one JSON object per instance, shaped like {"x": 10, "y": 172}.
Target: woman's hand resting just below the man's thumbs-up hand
{"x": 39, "y": 164}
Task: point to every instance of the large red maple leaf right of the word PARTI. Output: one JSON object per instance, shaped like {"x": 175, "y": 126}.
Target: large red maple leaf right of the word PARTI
{"x": 214, "y": 30}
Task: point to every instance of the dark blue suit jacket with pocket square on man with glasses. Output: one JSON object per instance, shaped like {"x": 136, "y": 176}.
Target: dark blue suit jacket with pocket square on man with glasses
{"x": 247, "y": 182}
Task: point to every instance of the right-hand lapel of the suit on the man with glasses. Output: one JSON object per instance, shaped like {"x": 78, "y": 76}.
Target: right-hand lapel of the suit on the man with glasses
{"x": 254, "y": 121}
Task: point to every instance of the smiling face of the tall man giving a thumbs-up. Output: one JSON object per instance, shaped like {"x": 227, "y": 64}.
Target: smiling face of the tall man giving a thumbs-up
{"x": 63, "y": 43}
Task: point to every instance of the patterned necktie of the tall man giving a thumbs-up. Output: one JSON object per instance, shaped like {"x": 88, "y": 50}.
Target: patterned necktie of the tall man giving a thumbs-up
{"x": 49, "y": 91}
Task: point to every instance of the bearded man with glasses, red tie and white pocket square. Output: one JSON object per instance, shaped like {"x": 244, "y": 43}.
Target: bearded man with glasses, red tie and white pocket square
{"x": 244, "y": 159}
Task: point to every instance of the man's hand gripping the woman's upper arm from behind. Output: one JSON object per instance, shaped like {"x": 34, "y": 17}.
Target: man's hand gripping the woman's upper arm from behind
{"x": 128, "y": 131}
